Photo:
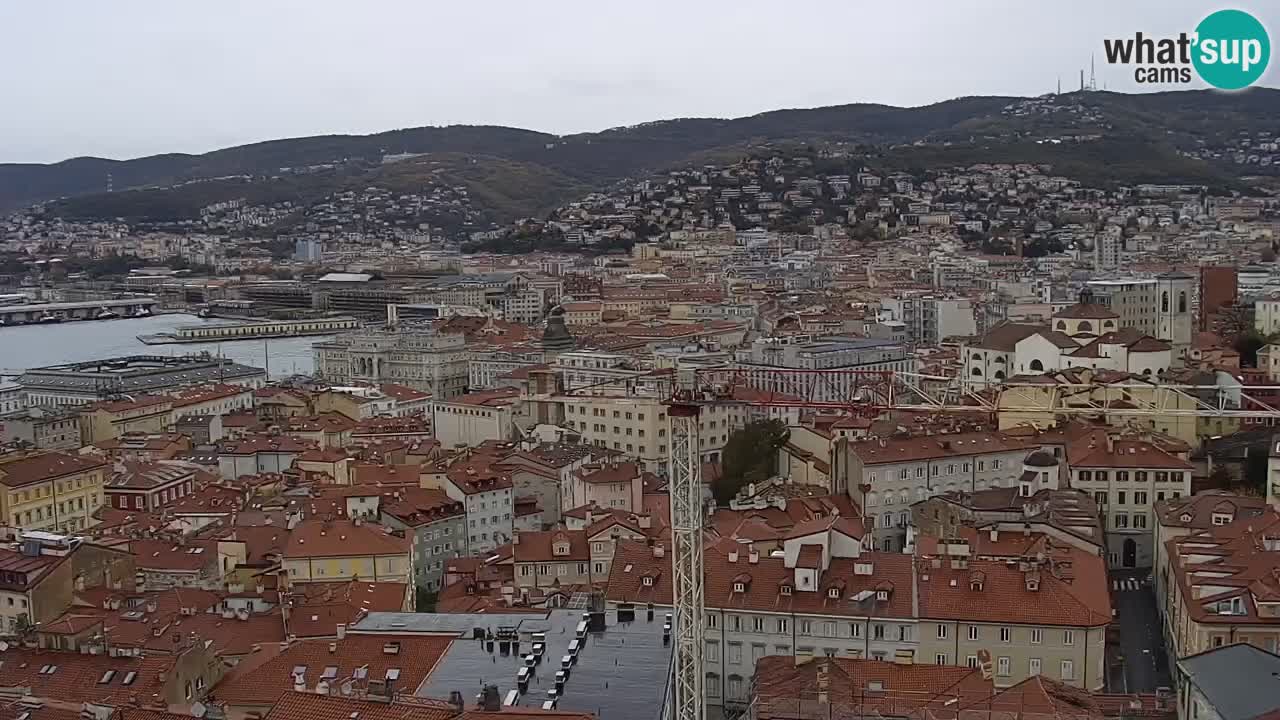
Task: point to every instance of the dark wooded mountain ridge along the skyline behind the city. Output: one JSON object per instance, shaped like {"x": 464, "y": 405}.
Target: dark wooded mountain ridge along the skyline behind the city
{"x": 595, "y": 160}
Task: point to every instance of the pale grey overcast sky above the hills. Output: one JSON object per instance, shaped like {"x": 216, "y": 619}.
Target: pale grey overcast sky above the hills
{"x": 125, "y": 79}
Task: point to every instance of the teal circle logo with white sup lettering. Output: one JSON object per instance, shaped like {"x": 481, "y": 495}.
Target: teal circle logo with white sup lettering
{"x": 1232, "y": 49}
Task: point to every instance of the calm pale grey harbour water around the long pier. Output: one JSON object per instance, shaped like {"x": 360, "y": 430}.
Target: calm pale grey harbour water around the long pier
{"x": 34, "y": 347}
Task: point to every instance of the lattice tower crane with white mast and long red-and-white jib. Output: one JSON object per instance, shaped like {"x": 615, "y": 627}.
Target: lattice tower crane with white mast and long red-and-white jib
{"x": 871, "y": 393}
